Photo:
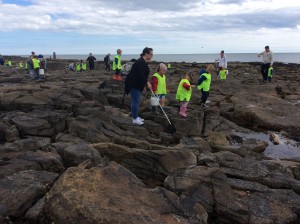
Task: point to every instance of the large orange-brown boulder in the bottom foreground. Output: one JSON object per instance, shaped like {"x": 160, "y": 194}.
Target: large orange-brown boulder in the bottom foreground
{"x": 128, "y": 202}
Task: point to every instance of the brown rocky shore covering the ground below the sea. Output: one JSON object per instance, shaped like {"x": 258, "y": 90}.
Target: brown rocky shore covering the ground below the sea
{"x": 70, "y": 154}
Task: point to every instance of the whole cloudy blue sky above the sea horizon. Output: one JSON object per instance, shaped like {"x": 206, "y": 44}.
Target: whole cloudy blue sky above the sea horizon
{"x": 167, "y": 26}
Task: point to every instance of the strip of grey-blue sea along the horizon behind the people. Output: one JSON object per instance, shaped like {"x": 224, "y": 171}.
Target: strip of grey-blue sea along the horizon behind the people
{"x": 197, "y": 58}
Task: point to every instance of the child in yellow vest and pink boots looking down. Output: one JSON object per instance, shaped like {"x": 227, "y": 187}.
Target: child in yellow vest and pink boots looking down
{"x": 184, "y": 92}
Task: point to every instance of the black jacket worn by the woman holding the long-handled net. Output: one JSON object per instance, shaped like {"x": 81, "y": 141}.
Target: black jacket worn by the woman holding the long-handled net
{"x": 138, "y": 76}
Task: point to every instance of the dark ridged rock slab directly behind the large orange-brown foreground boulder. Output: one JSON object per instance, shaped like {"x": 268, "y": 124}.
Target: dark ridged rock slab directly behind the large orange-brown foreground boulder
{"x": 150, "y": 166}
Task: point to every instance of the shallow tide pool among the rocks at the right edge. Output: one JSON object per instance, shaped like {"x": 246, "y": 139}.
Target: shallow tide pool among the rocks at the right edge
{"x": 286, "y": 149}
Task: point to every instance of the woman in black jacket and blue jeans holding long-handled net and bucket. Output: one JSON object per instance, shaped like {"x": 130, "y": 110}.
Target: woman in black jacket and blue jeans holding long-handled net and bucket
{"x": 136, "y": 81}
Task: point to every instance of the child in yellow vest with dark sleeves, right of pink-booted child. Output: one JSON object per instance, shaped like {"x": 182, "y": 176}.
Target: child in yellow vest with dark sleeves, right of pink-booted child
{"x": 204, "y": 82}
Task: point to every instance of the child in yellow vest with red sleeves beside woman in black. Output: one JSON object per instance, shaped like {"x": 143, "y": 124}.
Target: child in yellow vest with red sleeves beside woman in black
{"x": 159, "y": 85}
